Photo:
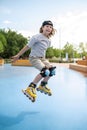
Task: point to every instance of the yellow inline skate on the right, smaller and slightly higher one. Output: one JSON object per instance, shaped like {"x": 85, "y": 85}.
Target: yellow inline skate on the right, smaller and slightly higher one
{"x": 44, "y": 89}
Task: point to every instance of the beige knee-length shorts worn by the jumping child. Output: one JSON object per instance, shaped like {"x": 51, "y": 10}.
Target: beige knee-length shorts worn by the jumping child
{"x": 39, "y": 63}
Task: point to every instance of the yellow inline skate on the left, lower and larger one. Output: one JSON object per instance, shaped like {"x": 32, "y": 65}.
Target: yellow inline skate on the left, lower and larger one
{"x": 30, "y": 92}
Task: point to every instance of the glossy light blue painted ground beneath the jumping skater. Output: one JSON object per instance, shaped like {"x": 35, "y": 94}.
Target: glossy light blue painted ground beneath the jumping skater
{"x": 66, "y": 109}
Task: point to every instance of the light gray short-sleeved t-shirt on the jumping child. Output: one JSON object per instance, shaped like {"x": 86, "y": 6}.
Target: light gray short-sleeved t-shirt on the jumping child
{"x": 39, "y": 44}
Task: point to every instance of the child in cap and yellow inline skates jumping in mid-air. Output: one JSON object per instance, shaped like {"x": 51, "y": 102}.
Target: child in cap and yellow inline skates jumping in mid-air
{"x": 39, "y": 44}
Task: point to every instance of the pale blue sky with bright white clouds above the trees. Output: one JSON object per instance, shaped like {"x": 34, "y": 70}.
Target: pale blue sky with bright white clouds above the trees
{"x": 26, "y": 16}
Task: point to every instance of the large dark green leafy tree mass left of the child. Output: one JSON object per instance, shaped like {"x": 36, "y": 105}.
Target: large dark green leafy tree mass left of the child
{"x": 14, "y": 43}
